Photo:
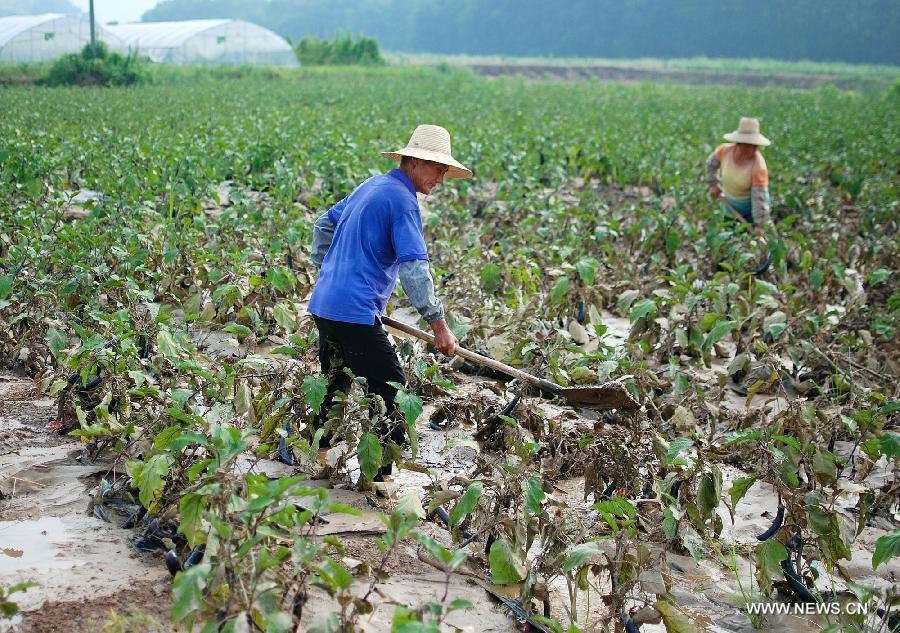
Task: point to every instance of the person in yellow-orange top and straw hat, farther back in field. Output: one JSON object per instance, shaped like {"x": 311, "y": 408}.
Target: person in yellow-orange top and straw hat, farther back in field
{"x": 744, "y": 176}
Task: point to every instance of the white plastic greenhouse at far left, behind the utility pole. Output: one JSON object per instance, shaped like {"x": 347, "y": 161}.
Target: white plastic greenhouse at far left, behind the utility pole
{"x": 38, "y": 38}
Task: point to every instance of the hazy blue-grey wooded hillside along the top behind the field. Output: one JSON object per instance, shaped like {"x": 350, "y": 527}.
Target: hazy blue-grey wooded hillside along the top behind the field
{"x": 859, "y": 31}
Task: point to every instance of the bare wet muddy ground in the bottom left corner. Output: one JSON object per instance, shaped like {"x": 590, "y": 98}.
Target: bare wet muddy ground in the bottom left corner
{"x": 88, "y": 574}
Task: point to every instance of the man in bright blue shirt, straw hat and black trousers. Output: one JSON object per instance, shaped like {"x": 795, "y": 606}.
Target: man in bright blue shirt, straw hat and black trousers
{"x": 362, "y": 245}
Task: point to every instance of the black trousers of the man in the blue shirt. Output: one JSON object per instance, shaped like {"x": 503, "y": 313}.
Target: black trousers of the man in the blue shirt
{"x": 366, "y": 350}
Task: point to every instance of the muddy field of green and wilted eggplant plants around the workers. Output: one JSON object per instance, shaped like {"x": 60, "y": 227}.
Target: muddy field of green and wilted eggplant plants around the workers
{"x": 160, "y": 370}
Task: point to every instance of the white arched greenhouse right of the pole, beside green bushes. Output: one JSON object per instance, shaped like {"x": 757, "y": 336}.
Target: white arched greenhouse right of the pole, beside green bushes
{"x": 206, "y": 42}
